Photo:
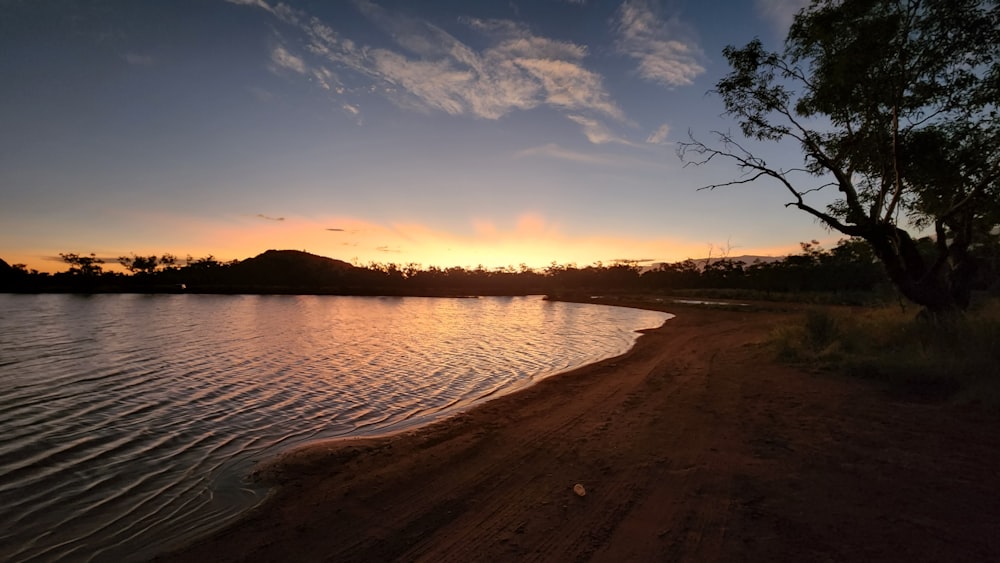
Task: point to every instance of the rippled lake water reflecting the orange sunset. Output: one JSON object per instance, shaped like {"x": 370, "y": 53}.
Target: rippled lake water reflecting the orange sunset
{"x": 128, "y": 422}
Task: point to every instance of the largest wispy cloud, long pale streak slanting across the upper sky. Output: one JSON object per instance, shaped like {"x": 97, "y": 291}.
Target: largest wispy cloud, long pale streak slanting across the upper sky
{"x": 432, "y": 70}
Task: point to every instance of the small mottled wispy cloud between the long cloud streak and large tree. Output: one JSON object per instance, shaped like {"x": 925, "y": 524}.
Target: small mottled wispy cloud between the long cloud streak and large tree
{"x": 664, "y": 48}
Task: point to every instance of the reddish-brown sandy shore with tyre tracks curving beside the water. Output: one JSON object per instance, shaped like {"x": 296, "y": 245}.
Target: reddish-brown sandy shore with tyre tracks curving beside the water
{"x": 693, "y": 446}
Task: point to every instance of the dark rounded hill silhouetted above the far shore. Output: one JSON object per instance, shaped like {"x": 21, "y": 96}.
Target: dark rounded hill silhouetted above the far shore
{"x": 290, "y": 268}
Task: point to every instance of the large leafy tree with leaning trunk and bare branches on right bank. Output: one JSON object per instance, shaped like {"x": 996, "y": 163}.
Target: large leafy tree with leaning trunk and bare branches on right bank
{"x": 894, "y": 105}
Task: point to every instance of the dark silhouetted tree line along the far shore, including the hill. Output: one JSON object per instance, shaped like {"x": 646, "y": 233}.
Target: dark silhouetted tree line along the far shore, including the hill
{"x": 850, "y": 268}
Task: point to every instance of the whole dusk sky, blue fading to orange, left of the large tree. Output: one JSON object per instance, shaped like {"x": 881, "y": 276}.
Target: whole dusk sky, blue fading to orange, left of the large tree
{"x": 446, "y": 133}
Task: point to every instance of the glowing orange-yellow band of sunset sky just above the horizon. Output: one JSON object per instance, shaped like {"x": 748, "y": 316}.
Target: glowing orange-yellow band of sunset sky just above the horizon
{"x": 529, "y": 239}
